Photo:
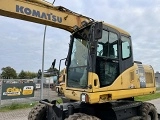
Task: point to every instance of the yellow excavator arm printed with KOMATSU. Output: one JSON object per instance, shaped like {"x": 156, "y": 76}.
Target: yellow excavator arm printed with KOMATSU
{"x": 42, "y": 12}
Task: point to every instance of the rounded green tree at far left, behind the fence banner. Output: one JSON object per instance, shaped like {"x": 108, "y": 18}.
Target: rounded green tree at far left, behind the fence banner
{"x": 8, "y": 73}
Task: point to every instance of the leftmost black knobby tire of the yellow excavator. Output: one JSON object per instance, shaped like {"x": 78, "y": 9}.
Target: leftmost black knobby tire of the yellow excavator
{"x": 38, "y": 112}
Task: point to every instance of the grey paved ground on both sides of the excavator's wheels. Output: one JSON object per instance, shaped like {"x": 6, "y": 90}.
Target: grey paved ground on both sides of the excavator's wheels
{"x": 22, "y": 114}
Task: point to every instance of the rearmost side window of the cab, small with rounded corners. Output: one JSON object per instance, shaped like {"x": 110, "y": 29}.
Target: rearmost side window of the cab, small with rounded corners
{"x": 126, "y": 47}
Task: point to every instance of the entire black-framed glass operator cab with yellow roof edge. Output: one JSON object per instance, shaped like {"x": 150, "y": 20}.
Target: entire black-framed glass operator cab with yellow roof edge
{"x": 98, "y": 48}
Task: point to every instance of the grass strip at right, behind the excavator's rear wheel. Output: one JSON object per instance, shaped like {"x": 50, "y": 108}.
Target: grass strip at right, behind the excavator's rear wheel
{"x": 148, "y": 97}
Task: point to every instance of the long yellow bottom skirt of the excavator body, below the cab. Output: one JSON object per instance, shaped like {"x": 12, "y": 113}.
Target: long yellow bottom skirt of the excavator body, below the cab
{"x": 100, "y": 97}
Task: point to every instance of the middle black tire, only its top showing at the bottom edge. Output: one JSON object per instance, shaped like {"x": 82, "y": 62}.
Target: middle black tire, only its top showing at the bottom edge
{"x": 81, "y": 116}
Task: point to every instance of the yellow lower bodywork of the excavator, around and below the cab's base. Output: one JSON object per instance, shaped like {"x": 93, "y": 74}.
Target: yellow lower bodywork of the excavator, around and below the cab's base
{"x": 125, "y": 86}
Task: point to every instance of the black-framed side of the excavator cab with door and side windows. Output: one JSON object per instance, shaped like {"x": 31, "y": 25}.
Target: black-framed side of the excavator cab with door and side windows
{"x": 114, "y": 55}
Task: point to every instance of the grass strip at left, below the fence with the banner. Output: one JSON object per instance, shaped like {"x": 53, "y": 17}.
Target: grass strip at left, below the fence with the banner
{"x": 15, "y": 106}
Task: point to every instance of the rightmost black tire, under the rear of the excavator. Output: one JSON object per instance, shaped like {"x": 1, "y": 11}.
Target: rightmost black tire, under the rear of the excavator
{"x": 148, "y": 112}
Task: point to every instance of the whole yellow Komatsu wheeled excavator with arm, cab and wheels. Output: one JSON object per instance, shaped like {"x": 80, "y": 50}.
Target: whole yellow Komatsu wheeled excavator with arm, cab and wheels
{"x": 102, "y": 77}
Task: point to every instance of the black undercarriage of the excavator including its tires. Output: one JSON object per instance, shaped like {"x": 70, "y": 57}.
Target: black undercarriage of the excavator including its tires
{"x": 116, "y": 110}
